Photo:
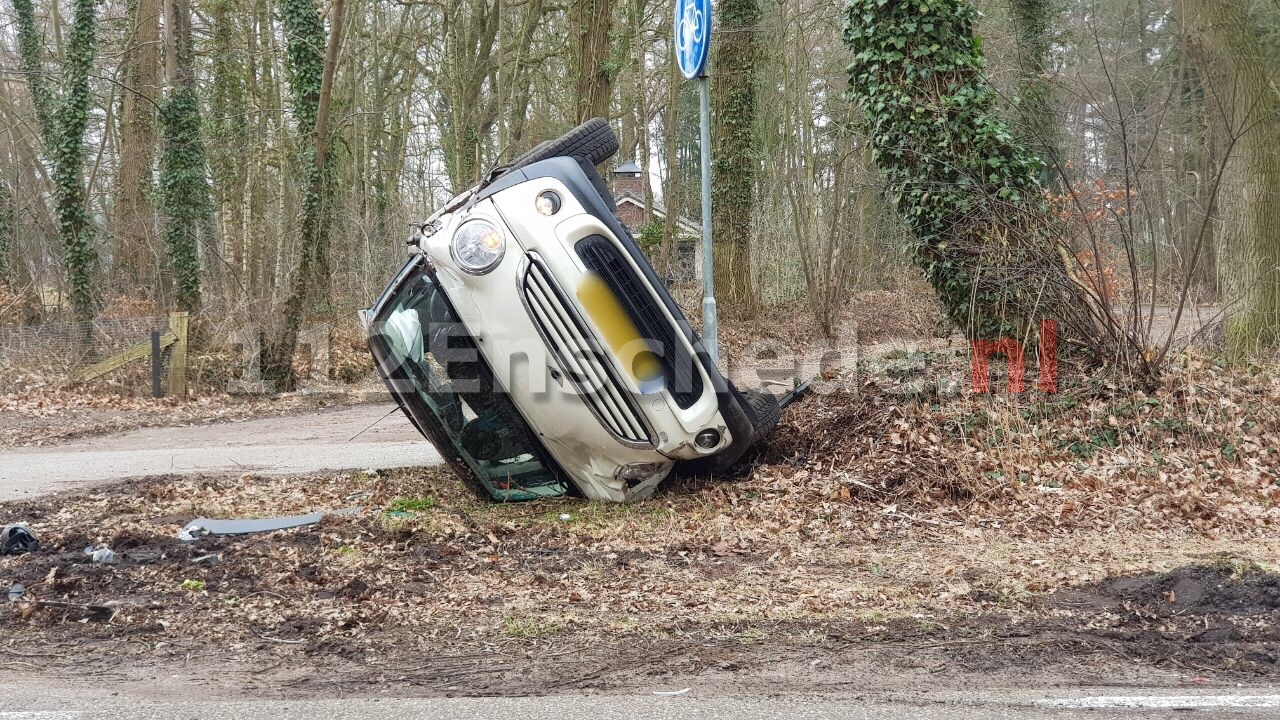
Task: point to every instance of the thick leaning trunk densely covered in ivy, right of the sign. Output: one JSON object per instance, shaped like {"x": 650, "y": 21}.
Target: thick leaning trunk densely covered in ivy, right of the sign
{"x": 968, "y": 190}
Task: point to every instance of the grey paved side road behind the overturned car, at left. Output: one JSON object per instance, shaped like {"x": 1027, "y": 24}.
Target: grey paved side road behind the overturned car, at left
{"x": 289, "y": 445}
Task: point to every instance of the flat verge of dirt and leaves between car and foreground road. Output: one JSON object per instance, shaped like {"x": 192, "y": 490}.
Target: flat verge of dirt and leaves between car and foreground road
{"x": 473, "y": 599}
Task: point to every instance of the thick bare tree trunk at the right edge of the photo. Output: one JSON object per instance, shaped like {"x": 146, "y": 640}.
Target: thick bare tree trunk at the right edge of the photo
{"x": 1232, "y": 52}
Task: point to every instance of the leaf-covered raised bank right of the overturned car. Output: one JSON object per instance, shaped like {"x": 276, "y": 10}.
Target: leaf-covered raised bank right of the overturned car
{"x": 1200, "y": 453}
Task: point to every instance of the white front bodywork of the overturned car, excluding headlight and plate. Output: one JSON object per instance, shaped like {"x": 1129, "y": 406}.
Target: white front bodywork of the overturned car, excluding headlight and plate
{"x": 615, "y": 440}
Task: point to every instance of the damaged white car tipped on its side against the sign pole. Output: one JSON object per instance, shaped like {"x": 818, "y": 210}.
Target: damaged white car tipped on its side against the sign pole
{"x": 532, "y": 343}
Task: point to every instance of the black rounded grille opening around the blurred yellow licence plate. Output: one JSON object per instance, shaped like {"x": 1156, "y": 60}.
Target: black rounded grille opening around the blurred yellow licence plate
{"x": 684, "y": 382}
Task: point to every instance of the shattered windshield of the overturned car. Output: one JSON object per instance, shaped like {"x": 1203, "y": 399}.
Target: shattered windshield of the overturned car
{"x": 432, "y": 367}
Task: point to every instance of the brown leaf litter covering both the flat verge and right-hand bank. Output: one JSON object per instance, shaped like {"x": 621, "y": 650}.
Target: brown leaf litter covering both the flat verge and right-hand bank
{"x": 870, "y": 508}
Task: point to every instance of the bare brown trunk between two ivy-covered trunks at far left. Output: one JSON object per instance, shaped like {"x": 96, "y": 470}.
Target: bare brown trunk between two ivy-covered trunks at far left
{"x": 134, "y": 257}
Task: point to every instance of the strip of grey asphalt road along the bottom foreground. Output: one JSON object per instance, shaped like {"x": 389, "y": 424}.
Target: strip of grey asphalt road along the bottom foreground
{"x": 42, "y": 703}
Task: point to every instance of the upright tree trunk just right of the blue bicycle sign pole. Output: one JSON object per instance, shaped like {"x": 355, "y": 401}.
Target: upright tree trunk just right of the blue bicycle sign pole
{"x": 734, "y": 158}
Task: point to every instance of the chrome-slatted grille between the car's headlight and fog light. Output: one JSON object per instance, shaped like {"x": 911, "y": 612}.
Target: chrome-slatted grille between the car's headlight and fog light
{"x": 580, "y": 357}
